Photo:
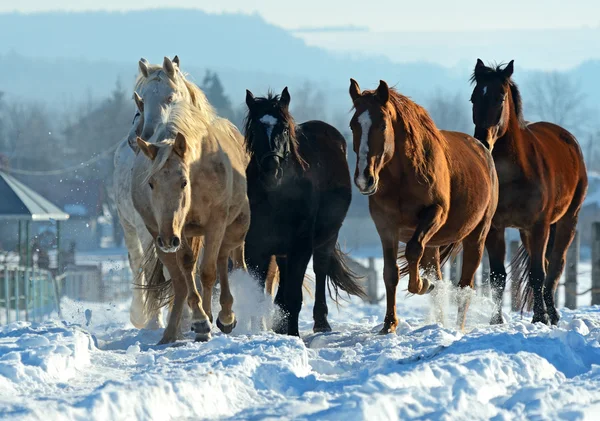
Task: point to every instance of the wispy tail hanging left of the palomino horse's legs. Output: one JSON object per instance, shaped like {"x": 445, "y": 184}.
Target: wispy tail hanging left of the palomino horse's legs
{"x": 158, "y": 289}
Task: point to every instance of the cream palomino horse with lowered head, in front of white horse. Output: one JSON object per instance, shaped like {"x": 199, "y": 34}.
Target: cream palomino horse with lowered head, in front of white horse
{"x": 189, "y": 183}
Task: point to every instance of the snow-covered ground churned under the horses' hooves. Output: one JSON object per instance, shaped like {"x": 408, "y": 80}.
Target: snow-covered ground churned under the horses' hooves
{"x": 62, "y": 370}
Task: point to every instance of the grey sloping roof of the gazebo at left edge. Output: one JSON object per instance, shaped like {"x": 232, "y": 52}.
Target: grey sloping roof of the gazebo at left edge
{"x": 17, "y": 201}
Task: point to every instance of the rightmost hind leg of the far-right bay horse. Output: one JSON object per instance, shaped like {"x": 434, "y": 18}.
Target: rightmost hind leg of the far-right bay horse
{"x": 565, "y": 232}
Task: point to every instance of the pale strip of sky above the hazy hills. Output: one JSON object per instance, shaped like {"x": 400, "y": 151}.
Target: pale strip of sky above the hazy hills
{"x": 383, "y": 15}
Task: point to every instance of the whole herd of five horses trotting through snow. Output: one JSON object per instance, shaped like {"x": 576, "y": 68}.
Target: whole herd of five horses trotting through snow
{"x": 188, "y": 183}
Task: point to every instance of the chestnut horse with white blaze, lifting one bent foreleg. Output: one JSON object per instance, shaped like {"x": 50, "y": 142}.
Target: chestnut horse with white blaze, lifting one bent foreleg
{"x": 427, "y": 188}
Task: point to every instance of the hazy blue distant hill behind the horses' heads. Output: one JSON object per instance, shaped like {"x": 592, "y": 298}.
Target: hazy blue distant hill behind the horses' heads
{"x": 63, "y": 58}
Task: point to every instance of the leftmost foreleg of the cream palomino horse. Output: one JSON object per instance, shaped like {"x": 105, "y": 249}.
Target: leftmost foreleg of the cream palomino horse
{"x": 180, "y": 291}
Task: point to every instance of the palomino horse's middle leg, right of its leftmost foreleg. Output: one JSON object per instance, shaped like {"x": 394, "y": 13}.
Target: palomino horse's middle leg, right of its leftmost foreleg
{"x": 187, "y": 257}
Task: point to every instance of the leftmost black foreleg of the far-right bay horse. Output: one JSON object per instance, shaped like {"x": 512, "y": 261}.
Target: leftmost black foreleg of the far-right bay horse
{"x": 496, "y": 247}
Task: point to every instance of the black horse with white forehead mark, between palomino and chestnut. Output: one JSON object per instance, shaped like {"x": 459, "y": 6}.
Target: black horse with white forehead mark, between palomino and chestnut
{"x": 299, "y": 190}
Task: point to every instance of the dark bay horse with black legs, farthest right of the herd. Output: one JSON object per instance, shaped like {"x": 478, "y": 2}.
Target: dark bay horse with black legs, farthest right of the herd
{"x": 543, "y": 182}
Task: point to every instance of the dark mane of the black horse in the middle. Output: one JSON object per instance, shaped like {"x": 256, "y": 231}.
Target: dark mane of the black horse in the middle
{"x": 270, "y": 105}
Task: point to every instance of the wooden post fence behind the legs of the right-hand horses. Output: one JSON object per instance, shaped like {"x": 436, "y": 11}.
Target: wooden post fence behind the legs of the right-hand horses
{"x": 572, "y": 275}
